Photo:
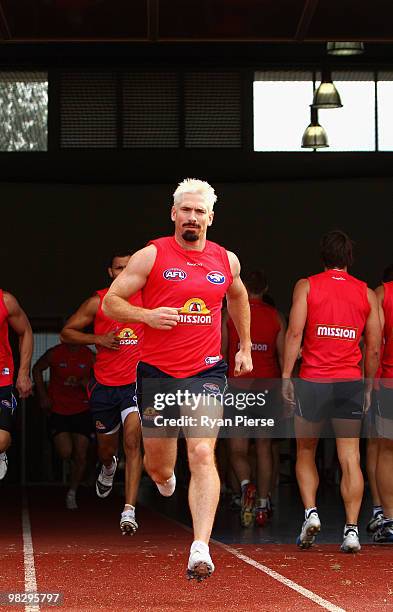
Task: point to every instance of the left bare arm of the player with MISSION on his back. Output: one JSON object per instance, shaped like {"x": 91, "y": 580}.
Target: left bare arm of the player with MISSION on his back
{"x": 297, "y": 322}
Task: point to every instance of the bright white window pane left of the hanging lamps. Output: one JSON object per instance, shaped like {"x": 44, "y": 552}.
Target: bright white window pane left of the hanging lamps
{"x": 281, "y": 114}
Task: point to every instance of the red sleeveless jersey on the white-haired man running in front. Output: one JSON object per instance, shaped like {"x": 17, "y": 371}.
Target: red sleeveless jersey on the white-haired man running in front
{"x": 196, "y": 282}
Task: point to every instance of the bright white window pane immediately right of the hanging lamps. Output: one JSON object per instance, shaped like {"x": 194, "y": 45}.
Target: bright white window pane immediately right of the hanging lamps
{"x": 352, "y": 127}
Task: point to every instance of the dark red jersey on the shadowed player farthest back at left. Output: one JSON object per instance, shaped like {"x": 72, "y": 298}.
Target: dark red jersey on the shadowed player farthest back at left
{"x": 69, "y": 372}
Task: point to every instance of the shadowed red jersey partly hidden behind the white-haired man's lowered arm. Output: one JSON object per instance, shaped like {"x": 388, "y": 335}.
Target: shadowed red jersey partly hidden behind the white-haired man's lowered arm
{"x": 265, "y": 327}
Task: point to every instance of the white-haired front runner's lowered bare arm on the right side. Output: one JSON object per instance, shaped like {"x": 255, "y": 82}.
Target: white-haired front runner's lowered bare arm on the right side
{"x": 239, "y": 311}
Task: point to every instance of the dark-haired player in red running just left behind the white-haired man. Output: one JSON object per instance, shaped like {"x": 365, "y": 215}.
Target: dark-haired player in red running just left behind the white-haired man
{"x": 111, "y": 390}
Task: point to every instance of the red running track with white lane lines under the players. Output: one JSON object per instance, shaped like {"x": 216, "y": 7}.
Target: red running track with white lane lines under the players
{"x": 83, "y": 555}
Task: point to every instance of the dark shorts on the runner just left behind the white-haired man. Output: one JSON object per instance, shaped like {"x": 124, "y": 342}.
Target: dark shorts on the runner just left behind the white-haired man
{"x": 109, "y": 406}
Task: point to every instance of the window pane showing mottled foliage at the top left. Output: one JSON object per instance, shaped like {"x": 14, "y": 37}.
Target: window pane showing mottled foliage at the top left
{"x": 23, "y": 111}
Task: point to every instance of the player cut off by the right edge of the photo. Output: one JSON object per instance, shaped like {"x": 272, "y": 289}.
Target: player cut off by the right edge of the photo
{"x": 384, "y": 416}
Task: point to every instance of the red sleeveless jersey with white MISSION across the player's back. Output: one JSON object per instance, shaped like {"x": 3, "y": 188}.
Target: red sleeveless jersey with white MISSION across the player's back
{"x": 337, "y": 312}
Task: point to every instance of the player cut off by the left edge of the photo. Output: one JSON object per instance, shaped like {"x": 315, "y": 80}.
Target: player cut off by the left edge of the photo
{"x": 12, "y": 314}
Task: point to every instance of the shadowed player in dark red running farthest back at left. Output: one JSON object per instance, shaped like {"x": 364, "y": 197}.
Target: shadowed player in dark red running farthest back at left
{"x": 66, "y": 401}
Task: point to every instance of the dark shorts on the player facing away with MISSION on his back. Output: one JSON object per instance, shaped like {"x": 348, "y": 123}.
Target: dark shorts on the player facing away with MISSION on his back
{"x": 317, "y": 402}
